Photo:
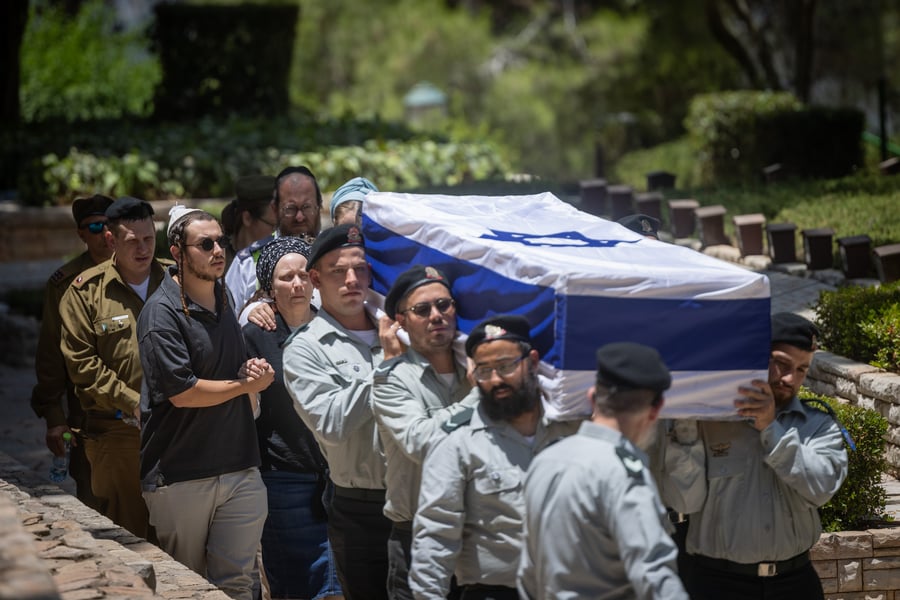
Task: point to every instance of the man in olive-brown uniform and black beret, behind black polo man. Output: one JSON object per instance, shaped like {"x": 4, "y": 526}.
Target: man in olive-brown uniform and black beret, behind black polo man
{"x": 99, "y": 342}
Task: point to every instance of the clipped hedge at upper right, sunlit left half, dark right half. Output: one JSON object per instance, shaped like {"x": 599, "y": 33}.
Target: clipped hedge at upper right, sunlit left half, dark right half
{"x": 740, "y": 133}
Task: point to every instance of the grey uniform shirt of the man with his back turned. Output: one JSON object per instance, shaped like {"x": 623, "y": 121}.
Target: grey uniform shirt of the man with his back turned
{"x": 595, "y": 527}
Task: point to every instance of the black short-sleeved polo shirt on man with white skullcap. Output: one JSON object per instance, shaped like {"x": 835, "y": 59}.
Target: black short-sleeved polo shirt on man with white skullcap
{"x": 181, "y": 444}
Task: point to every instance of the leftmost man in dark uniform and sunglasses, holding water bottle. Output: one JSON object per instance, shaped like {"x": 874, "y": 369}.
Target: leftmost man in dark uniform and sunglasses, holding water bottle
{"x": 50, "y": 367}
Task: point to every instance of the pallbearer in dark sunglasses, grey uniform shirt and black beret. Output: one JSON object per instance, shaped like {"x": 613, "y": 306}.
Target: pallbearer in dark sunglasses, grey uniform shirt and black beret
{"x": 413, "y": 395}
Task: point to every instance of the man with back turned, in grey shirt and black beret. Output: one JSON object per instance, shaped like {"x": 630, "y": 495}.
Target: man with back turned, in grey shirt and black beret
{"x": 595, "y": 527}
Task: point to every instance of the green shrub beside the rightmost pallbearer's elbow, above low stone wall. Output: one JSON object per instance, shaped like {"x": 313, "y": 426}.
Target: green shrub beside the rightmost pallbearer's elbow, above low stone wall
{"x": 861, "y": 499}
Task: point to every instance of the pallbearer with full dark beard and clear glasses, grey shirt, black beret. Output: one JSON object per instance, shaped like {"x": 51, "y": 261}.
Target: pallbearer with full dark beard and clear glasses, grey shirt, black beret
{"x": 471, "y": 504}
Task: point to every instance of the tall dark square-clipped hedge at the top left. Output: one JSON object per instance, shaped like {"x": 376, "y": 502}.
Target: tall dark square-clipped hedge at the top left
{"x": 223, "y": 59}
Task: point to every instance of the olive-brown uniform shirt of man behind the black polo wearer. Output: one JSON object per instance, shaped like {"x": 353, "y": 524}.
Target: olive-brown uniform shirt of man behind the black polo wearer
{"x": 99, "y": 337}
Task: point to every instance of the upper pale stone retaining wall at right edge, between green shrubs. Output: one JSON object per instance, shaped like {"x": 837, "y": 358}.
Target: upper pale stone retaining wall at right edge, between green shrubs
{"x": 861, "y": 385}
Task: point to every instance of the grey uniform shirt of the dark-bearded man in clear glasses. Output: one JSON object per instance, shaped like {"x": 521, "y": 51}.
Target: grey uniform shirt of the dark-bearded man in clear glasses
{"x": 469, "y": 520}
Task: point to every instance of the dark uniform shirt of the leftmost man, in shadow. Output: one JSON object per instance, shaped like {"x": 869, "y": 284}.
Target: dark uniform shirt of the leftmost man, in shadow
{"x": 49, "y": 365}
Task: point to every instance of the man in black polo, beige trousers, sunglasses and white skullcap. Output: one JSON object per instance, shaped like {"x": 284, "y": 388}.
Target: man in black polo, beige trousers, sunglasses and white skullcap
{"x": 199, "y": 451}
